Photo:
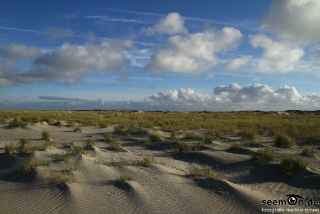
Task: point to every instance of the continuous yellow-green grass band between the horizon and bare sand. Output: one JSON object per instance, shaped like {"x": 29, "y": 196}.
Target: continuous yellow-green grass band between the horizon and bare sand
{"x": 298, "y": 124}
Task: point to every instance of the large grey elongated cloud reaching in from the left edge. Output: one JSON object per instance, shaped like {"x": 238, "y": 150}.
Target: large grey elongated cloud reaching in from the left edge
{"x": 68, "y": 63}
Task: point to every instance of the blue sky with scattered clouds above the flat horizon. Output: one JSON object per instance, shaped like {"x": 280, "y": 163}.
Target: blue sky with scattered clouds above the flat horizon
{"x": 160, "y": 55}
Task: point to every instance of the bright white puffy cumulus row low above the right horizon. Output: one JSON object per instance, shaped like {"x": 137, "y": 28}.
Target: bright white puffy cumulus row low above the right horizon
{"x": 236, "y": 97}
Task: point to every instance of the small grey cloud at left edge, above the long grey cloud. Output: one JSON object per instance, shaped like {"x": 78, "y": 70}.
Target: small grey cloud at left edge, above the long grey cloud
{"x": 19, "y": 51}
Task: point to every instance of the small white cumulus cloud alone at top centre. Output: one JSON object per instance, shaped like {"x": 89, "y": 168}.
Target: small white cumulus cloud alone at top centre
{"x": 172, "y": 24}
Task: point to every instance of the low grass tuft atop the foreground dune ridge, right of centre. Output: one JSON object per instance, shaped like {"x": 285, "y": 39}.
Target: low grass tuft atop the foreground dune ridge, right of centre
{"x": 196, "y": 170}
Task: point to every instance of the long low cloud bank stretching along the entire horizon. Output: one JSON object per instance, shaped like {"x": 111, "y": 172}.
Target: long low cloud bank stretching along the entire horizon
{"x": 223, "y": 98}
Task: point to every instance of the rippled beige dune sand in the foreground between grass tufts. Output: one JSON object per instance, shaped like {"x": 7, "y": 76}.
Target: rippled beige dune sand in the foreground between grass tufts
{"x": 154, "y": 188}
